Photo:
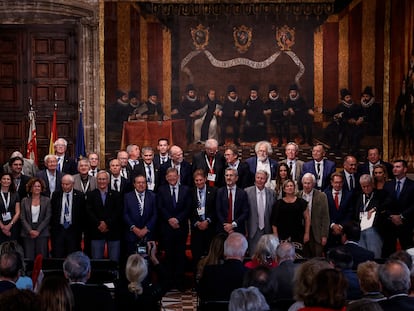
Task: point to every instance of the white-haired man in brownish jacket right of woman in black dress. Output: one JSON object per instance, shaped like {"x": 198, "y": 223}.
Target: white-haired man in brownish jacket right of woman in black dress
{"x": 319, "y": 212}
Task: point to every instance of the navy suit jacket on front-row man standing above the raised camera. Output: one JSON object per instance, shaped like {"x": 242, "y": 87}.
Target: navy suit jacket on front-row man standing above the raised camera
{"x": 133, "y": 217}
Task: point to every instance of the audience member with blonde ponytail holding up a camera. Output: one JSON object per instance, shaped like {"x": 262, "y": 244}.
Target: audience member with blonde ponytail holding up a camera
{"x": 137, "y": 292}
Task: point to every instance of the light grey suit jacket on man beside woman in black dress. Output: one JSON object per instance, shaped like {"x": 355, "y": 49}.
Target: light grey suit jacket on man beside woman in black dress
{"x": 253, "y": 220}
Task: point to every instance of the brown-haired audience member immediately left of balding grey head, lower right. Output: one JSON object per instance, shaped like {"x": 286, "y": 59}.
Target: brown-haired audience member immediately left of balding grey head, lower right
{"x": 367, "y": 273}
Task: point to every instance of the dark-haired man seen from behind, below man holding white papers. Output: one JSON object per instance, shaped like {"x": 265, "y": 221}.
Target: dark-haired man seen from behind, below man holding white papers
{"x": 351, "y": 234}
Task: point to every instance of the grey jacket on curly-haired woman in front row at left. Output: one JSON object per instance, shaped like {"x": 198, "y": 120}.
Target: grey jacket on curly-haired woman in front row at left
{"x": 42, "y": 224}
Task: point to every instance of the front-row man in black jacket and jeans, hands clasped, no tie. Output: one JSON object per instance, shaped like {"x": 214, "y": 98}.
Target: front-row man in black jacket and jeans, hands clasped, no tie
{"x": 104, "y": 223}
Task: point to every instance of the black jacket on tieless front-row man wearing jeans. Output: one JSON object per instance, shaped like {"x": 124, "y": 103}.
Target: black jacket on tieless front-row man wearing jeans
{"x": 110, "y": 213}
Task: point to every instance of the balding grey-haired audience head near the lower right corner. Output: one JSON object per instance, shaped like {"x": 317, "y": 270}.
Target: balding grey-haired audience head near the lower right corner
{"x": 394, "y": 277}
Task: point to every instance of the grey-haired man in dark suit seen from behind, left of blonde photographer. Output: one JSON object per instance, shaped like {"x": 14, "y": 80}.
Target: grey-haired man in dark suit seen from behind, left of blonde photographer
{"x": 77, "y": 269}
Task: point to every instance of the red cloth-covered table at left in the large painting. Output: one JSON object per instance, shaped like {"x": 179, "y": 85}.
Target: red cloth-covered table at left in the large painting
{"x": 147, "y": 133}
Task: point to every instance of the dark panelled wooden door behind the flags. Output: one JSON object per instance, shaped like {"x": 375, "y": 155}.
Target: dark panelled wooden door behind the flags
{"x": 41, "y": 63}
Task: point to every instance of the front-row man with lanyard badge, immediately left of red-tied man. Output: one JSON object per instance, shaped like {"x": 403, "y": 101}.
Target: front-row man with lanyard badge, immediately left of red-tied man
{"x": 203, "y": 218}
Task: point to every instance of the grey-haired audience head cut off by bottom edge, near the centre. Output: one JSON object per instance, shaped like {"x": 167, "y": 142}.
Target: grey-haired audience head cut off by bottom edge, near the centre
{"x": 247, "y": 299}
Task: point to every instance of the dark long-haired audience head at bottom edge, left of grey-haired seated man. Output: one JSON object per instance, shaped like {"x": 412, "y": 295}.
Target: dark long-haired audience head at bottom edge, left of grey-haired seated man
{"x": 55, "y": 294}
